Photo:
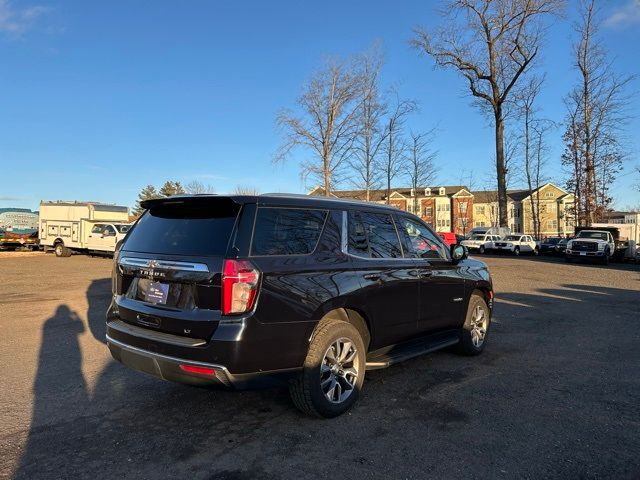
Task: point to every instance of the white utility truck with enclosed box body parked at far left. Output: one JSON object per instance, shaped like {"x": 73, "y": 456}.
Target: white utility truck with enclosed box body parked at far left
{"x": 66, "y": 227}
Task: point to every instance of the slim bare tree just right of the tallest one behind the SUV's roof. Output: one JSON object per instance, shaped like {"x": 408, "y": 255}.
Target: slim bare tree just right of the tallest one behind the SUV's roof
{"x": 394, "y": 147}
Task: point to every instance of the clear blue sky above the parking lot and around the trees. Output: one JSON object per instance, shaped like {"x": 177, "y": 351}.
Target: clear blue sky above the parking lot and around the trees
{"x": 98, "y": 99}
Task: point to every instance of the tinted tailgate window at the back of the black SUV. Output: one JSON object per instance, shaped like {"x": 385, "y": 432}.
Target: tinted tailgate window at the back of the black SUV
{"x": 198, "y": 230}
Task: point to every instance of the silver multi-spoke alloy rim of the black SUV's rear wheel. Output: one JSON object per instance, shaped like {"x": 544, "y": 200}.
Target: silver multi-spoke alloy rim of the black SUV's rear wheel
{"x": 339, "y": 370}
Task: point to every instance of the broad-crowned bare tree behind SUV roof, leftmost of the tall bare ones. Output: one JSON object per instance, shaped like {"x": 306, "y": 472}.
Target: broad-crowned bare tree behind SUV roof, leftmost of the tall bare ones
{"x": 328, "y": 126}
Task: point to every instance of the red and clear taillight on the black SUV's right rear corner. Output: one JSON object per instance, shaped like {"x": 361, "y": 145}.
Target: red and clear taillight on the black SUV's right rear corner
{"x": 239, "y": 286}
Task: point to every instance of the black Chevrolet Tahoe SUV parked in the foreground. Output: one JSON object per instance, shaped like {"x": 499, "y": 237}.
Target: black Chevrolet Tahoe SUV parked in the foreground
{"x": 243, "y": 291}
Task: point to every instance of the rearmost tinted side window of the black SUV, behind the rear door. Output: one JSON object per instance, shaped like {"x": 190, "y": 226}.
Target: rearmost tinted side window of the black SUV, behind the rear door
{"x": 287, "y": 231}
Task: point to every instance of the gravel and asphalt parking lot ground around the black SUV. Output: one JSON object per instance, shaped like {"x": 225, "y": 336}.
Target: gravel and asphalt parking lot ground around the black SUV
{"x": 555, "y": 395}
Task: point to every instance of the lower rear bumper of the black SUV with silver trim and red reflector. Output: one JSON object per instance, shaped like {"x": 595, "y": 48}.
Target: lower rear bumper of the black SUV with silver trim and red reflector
{"x": 177, "y": 369}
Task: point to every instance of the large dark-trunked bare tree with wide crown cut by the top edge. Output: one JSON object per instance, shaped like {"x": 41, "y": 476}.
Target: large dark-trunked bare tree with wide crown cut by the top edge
{"x": 491, "y": 43}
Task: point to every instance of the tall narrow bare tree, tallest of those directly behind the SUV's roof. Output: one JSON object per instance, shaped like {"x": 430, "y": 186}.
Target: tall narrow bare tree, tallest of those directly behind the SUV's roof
{"x": 371, "y": 134}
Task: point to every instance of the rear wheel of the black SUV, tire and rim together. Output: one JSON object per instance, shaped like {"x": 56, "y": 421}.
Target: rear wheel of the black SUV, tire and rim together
{"x": 333, "y": 371}
